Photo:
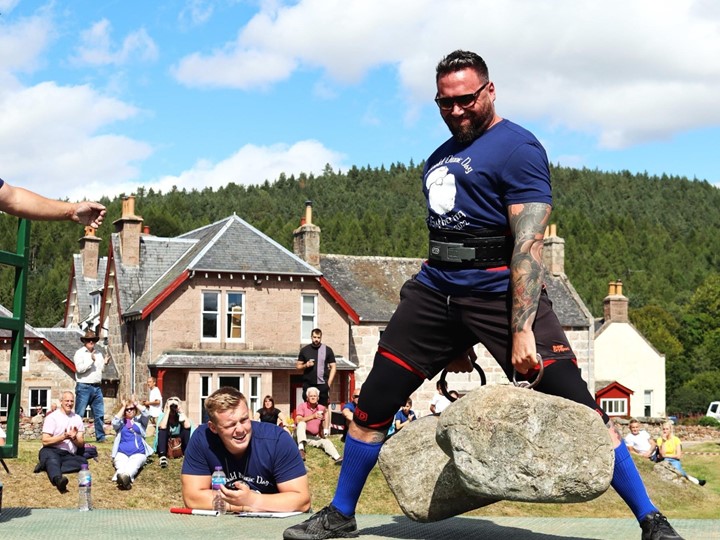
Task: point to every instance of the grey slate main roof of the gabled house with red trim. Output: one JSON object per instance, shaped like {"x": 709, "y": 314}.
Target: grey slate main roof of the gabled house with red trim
{"x": 228, "y": 245}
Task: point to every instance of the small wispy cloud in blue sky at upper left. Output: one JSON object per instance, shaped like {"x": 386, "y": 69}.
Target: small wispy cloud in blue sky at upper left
{"x": 97, "y": 49}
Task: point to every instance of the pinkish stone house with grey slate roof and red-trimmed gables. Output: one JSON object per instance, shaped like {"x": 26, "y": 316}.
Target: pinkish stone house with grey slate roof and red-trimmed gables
{"x": 220, "y": 305}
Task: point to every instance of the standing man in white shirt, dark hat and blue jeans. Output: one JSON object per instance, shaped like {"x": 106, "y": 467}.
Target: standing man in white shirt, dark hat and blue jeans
{"x": 89, "y": 365}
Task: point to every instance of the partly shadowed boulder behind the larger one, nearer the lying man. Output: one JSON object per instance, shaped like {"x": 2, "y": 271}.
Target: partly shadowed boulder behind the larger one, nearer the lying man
{"x": 422, "y": 477}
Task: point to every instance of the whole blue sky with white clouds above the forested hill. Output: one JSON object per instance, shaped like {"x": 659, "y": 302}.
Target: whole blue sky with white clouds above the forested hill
{"x": 100, "y": 97}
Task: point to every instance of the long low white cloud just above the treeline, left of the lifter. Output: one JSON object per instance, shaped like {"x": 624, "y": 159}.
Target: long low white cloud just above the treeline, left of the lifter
{"x": 250, "y": 165}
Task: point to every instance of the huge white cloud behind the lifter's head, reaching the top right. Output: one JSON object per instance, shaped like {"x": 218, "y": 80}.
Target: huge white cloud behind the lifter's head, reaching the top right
{"x": 625, "y": 72}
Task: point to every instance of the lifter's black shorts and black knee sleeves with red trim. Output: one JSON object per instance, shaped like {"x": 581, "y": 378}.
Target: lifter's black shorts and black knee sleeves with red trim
{"x": 429, "y": 330}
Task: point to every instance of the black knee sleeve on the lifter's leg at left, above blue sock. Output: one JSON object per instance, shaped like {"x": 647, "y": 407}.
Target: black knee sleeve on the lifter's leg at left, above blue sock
{"x": 386, "y": 390}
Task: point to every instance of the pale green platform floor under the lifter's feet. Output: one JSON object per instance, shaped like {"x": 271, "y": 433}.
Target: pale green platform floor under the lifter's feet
{"x": 52, "y": 524}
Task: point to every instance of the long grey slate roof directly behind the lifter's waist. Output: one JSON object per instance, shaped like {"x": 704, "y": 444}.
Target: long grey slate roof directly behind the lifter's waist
{"x": 371, "y": 285}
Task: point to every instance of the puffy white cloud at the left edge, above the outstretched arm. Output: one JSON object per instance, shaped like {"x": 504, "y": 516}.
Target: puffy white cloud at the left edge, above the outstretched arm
{"x": 50, "y": 140}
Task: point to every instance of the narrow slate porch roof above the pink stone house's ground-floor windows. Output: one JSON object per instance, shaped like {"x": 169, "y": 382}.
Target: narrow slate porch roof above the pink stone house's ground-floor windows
{"x": 237, "y": 360}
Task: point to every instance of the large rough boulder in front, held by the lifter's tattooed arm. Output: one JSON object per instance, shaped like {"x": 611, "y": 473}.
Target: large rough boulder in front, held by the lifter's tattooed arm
{"x": 521, "y": 445}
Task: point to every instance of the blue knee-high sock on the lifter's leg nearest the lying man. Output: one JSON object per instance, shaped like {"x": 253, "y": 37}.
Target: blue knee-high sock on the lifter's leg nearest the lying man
{"x": 358, "y": 460}
